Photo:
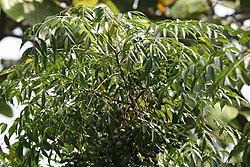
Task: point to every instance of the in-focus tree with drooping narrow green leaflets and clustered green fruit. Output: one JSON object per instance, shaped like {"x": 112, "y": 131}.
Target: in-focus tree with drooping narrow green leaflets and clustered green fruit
{"x": 108, "y": 90}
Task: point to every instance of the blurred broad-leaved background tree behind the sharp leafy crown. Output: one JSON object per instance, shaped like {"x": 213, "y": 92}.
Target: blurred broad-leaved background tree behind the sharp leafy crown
{"x": 22, "y": 14}
